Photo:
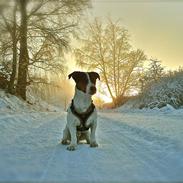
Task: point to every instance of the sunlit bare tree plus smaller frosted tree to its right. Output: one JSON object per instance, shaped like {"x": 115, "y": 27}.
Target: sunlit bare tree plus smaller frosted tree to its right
{"x": 106, "y": 47}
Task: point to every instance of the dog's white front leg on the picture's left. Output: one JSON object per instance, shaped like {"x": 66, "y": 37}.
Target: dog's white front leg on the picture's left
{"x": 73, "y": 144}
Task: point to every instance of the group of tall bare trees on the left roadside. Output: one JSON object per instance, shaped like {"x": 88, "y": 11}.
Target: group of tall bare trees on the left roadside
{"x": 34, "y": 35}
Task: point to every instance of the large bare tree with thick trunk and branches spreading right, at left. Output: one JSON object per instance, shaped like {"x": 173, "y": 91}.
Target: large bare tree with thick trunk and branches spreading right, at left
{"x": 43, "y": 36}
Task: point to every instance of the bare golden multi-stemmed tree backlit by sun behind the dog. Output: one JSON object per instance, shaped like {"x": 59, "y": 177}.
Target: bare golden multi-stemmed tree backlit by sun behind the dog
{"x": 107, "y": 49}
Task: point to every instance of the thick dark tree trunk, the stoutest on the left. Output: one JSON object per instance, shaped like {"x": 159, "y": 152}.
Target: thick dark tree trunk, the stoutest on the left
{"x": 23, "y": 59}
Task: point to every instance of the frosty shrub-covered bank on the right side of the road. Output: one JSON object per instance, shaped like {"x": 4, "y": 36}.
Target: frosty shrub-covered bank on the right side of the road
{"x": 167, "y": 93}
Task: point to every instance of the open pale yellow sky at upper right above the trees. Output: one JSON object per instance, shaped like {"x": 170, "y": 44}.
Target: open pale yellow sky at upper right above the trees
{"x": 155, "y": 26}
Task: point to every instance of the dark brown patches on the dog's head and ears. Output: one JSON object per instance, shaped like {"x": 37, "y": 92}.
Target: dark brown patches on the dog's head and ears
{"x": 81, "y": 79}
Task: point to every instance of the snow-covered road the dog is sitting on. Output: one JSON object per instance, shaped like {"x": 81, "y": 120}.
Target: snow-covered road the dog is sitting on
{"x": 133, "y": 146}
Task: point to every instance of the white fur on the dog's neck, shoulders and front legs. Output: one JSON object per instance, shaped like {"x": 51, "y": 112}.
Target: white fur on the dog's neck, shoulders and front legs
{"x": 81, "y": 103}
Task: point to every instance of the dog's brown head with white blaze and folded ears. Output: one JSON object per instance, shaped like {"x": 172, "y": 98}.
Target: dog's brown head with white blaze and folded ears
{"x": 85, "y": 81}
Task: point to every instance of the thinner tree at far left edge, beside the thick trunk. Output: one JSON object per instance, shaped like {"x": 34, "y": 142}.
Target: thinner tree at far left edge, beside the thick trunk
{"x": 9, "y": 39}
